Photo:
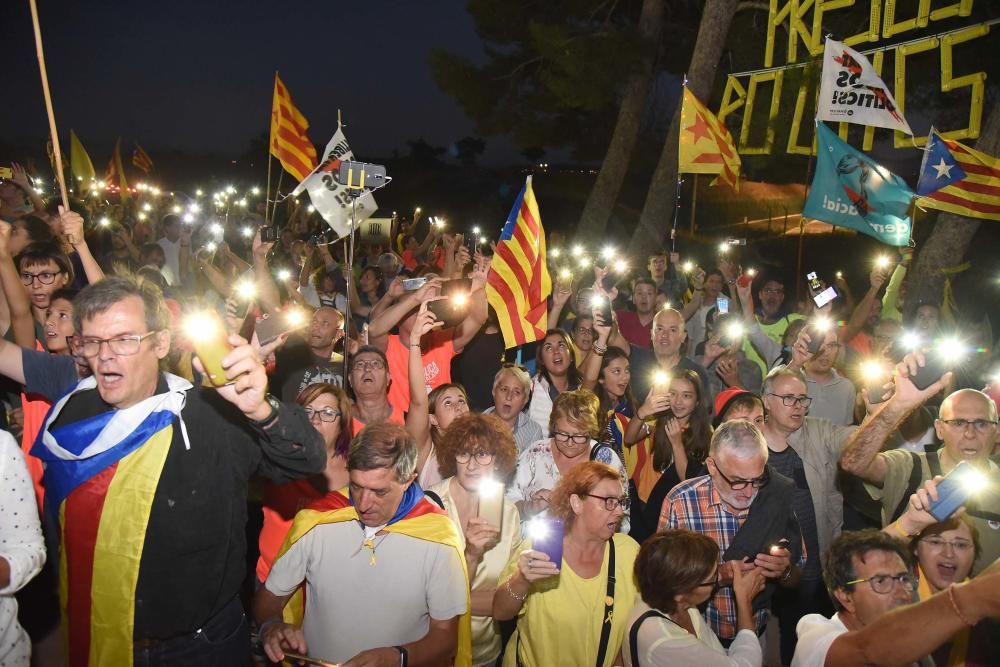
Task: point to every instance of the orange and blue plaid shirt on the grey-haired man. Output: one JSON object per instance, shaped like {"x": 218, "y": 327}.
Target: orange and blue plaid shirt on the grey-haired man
{"x": 696, "y": 505}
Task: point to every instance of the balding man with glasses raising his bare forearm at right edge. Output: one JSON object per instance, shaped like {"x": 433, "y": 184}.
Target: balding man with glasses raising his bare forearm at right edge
{"x": 966, "y": 424}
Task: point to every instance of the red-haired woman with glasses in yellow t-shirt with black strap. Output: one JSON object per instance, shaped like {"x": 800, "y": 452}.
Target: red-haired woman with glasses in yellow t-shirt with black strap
{"x": 573, "y": 612}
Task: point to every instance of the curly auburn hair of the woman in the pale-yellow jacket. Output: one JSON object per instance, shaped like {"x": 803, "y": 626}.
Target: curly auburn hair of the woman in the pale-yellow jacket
{"x": 471, "y": 432}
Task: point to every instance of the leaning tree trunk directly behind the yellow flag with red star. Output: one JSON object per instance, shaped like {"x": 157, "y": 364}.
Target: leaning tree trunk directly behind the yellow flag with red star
{"x": 657, "y": 212}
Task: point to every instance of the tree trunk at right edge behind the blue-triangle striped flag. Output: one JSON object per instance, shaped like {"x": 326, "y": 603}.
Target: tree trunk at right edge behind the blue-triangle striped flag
{"x": 951, "y": 236}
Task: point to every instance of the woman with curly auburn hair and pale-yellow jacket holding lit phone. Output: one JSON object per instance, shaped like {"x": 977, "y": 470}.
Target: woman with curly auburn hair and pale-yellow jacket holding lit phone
{"x": 475, "y": 454}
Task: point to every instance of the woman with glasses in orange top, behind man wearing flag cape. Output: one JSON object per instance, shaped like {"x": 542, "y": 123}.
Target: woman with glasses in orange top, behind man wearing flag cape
{"x": 328, "y": 409}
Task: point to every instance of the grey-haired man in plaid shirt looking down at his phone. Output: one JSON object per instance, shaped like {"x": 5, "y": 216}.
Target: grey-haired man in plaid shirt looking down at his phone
{"x": 743, "y": 507}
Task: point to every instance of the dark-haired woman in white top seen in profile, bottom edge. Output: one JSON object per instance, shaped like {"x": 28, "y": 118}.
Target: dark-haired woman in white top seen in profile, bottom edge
{"x": 677, "y": 571}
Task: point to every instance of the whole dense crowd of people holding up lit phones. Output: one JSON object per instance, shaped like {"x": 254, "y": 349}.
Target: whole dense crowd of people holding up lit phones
{"x": 354, "y": 468}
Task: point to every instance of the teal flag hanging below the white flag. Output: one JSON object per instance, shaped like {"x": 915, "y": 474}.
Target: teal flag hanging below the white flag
{"x": 852, "y": 190}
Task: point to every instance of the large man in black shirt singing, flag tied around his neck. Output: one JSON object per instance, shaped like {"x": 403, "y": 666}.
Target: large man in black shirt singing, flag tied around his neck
{"x": 146, "y": 483}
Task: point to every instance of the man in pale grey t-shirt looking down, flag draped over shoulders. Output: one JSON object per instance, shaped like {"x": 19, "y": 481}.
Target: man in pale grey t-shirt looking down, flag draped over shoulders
{"x": 383, "y": 569}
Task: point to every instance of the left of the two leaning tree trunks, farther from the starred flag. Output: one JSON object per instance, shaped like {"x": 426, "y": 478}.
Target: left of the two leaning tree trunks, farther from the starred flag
{"x": 594, "y": 219}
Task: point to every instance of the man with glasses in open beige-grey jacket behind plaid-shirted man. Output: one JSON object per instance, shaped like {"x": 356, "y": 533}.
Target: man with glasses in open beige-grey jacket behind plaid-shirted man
{"x": 805, "y": 449}
